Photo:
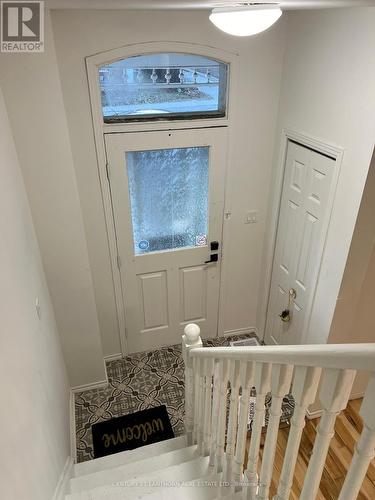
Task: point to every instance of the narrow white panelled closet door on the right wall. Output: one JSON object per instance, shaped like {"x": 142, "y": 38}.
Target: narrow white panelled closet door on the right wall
{"x": 299, "y": 242}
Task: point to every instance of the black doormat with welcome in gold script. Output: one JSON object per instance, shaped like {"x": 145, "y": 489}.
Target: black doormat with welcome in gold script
{"x": 131, "y": 431}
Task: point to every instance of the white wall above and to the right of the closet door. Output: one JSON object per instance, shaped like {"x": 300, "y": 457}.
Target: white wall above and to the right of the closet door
{"x": 328, "y": 92}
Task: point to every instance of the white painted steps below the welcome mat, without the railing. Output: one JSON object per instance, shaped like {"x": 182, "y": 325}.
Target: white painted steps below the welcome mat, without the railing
{"x": 160, "y": 471}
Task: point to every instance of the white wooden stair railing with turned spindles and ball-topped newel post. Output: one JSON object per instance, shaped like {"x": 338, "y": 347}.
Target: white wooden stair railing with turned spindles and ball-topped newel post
{"x": 218, "y": 383}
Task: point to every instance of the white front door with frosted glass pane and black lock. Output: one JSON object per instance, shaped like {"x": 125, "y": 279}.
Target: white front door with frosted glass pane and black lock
{"x": 168, "y": 199}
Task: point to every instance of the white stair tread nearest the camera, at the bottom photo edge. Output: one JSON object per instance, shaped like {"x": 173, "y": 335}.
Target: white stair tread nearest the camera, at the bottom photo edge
{"x": 156, "y": 482}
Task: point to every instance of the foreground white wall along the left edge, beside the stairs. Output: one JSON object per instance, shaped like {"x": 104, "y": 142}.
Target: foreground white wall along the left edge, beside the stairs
{"x": 34, "y": 417}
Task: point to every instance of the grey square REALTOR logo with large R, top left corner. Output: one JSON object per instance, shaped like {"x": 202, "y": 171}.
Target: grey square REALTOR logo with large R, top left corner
{"x": 22, "y": 26}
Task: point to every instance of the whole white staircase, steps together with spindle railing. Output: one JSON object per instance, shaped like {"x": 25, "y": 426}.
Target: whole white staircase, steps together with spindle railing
{"x": 209, "y": 461}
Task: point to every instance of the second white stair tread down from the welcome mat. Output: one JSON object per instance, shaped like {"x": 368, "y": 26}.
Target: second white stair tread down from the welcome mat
{"x": 133, "y": 470}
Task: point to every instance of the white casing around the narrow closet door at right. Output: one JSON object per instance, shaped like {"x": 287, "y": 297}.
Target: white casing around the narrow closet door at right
{"x": 322, "y": 147}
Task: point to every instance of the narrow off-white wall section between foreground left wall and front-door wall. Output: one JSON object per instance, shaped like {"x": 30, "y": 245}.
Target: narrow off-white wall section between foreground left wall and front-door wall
{"x": 32, "y": 92}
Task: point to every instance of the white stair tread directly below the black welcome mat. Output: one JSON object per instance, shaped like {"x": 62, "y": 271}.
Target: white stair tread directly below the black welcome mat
{"x": 129, "y": 456}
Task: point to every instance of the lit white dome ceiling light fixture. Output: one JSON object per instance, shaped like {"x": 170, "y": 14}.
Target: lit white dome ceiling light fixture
{"x": 245, "y": 19}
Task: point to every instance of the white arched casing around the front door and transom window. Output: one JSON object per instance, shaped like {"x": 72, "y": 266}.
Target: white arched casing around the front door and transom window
{"x": 100, "y": 129}
